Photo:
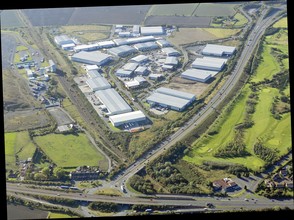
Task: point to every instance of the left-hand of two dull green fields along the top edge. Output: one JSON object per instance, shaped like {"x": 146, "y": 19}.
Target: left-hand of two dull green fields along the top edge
{"x": 173, "y": 9}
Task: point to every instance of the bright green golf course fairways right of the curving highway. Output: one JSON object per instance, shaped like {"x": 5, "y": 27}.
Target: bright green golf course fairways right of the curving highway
{"x": 275, "y": 134}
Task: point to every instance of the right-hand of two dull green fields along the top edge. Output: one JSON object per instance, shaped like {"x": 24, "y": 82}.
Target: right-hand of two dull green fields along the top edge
{"x": 215, "y": 9}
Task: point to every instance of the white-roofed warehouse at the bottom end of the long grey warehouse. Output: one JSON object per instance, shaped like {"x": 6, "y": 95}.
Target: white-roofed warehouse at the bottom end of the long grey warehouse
{"x": 135, "y": 116}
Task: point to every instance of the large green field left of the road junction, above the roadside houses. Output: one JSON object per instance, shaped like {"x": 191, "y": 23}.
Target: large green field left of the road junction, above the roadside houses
{"x": 69, "y": 150}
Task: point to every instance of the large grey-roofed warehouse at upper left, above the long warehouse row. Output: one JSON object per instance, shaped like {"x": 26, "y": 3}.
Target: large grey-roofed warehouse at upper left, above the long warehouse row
{"x": 93, "y": 57}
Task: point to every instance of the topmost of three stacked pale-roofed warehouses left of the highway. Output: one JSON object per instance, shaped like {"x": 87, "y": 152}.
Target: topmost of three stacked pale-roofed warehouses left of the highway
{"x": 218, "y": 50}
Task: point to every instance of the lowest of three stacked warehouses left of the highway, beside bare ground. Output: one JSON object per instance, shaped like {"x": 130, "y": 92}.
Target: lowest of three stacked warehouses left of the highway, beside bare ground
{"x": 199, "y": 75}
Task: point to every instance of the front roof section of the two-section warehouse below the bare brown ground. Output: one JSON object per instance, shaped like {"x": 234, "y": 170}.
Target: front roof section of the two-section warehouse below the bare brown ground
{"x": 168, "y": 100}
